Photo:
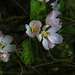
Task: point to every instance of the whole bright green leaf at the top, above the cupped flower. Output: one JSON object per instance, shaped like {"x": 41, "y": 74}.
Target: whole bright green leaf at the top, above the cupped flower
{"x": 37, "y": 10}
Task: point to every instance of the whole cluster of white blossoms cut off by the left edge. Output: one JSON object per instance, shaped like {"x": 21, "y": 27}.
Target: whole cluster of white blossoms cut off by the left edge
{"x": 6, "y": 47}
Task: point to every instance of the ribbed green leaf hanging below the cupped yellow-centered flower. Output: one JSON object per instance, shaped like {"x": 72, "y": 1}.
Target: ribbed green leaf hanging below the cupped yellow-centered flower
{"x": 30, "y": 51}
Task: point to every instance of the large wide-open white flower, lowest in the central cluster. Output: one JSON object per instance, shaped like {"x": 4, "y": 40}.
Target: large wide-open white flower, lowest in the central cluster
{"x": 50, "y": 38}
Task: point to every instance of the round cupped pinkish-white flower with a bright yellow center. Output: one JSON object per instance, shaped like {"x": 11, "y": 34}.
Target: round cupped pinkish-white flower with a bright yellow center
{"x": 33, "y": 28}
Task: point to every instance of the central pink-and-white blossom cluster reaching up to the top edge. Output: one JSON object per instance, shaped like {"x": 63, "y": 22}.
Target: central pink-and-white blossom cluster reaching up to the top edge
{"x": 48, "y": 34}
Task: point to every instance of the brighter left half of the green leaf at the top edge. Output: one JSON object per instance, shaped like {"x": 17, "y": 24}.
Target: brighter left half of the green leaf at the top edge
{"x": 34, "y": 9}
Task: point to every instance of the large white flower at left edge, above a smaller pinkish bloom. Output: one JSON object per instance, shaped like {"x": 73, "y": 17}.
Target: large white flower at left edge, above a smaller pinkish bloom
{"x": 5, "y": 45}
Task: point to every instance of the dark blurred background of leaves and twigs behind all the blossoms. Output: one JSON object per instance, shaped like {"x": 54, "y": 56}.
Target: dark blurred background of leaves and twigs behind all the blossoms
{"x": 30, "y": 57}
